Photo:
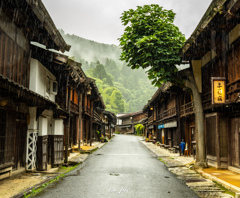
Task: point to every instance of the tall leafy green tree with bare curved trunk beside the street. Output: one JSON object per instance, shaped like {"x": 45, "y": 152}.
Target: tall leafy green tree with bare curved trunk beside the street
{"x": 151, "y": 41}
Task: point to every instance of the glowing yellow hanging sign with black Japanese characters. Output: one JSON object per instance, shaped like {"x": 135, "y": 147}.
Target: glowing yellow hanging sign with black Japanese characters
{"x": 218, "y": 90}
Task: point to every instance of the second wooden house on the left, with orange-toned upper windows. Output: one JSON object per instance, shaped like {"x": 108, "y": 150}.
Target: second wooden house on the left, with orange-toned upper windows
{"x": 71, "y": 83}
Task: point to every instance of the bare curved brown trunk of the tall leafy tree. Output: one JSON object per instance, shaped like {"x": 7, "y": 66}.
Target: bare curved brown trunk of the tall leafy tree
{"x": 199, "y": 123}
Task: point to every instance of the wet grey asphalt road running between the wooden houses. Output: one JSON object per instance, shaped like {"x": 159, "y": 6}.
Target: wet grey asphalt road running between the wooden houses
{"x": 122, "y": 168}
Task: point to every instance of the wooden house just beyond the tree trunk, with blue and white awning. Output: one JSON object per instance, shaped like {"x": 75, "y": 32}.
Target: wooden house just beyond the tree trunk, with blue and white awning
{"x": 163, "y": 111}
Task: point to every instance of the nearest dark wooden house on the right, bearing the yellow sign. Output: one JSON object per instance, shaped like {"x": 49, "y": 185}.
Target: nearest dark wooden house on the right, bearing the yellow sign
{"x": 213, "y": 52}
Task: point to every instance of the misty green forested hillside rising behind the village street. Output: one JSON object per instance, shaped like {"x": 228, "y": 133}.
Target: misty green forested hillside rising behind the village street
{"x": 122, "y": 89}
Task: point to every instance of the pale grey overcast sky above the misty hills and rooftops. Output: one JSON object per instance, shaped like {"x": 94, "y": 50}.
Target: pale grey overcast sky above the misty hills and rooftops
{"x": 99, "y": 20}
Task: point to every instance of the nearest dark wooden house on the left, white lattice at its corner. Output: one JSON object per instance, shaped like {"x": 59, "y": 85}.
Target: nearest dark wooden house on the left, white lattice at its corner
{"x": 21, "y": 23}
